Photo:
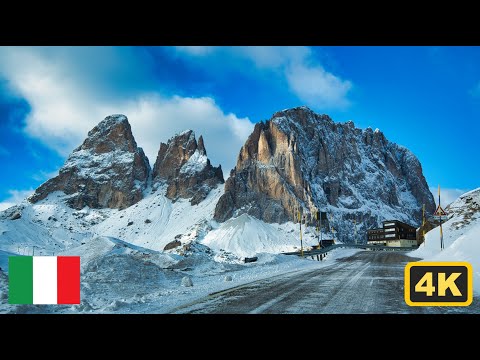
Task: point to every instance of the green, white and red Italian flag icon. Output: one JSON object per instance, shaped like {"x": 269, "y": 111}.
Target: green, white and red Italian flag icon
{"x": 44, "y": 280}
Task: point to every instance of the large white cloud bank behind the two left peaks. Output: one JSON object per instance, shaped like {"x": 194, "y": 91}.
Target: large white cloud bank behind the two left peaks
{"x": 67, "y": 101}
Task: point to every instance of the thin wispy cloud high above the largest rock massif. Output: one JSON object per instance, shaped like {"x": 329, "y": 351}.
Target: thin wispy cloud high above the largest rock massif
{"x": 305, "y": 76}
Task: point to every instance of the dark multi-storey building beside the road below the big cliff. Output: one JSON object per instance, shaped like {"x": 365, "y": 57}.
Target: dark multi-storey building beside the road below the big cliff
{"x": 393, "y": 233}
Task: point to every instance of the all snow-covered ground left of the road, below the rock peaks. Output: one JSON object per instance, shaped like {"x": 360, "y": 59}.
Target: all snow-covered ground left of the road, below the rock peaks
{"x": 122, "y": 267}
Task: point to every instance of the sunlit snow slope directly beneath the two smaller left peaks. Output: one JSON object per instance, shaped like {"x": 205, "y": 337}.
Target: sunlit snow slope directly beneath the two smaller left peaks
{"x": 50, "y": 226}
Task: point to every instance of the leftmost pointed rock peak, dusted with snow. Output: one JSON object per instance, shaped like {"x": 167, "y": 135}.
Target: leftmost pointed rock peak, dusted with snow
{"x": 107, "y": 171}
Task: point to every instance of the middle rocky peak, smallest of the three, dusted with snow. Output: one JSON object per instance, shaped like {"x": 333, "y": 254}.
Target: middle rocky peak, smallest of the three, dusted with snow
{"x": 183, "y": 165}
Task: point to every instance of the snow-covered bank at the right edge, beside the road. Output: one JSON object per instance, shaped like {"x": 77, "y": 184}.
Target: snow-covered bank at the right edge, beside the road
{"x": 461, "y": 235}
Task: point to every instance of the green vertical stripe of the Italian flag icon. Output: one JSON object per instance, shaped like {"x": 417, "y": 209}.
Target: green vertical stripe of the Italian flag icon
{"x": 20, "y": 278}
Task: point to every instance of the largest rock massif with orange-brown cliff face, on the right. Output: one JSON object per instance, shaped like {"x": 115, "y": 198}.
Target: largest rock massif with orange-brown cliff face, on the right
{"x": 302, "y": 161}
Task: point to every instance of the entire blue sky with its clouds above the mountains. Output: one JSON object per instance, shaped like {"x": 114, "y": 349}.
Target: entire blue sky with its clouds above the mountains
{"x": 425, "y": 98}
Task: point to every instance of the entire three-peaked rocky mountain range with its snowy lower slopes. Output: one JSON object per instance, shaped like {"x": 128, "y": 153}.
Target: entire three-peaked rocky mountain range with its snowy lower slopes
{"x": 298, "y": 159}
